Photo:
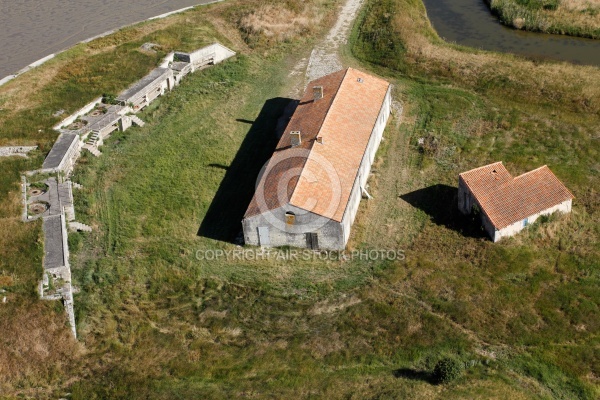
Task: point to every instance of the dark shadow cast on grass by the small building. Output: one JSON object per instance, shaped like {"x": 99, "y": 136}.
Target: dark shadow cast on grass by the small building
{"x": 440, "y": 203}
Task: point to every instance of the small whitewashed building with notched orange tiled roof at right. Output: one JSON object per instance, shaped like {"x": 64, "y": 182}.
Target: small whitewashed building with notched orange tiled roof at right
{"x": 507, "y": 204}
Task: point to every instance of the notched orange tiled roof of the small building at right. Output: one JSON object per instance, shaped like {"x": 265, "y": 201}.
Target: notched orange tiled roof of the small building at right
{"x": 506, "y": 200}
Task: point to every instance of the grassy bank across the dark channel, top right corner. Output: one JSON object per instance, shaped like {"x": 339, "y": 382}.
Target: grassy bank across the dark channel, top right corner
{"x": 563, "y": 17}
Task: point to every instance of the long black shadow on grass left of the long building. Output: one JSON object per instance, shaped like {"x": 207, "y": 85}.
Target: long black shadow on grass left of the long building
{"x": 224, "y": 216}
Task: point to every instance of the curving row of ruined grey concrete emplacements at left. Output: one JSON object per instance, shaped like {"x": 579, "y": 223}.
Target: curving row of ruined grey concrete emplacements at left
{"x": 87, "y": 129}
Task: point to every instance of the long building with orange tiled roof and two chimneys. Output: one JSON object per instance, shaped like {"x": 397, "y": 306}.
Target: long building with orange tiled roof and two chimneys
{"x": 308, "y": 193}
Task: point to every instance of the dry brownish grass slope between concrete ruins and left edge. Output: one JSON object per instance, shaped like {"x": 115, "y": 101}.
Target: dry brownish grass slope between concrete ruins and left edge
{"x": 38, "y": 352}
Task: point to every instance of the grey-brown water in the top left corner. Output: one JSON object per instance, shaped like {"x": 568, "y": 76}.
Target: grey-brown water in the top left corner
{"x": 32, "y": 29}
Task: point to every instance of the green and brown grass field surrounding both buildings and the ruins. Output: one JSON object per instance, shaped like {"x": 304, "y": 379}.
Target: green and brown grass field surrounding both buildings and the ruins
{"x": 156, "y": 322}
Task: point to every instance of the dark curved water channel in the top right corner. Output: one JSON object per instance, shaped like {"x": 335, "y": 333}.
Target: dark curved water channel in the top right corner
{"x": 470, "y": 23}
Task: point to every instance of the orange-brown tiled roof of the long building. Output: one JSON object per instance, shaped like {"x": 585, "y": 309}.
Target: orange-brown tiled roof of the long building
{"x": 323, "y": 173}
